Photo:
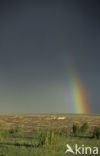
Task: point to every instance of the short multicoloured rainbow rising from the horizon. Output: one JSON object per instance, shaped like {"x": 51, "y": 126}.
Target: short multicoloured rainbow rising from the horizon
{"x": 79, "y": 95}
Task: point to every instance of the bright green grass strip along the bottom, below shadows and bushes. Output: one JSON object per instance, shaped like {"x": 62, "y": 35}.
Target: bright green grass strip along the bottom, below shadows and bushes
{"x": 53, "y": 150}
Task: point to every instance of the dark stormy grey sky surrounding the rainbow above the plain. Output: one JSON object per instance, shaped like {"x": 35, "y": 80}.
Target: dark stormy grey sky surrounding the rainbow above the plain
{"x": 41, "y": 43}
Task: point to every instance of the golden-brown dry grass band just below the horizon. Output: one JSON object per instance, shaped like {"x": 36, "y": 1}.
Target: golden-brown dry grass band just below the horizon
{"x": 30, "y": 122}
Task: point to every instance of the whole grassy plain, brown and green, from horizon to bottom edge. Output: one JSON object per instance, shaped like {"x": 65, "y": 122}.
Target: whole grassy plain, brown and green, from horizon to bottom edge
{"x": 45, "y": 134}
